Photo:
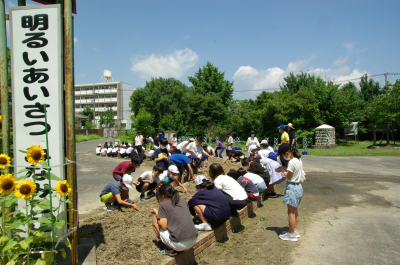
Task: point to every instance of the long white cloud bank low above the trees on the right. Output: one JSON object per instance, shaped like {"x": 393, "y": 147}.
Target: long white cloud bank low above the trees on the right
{"x": 249, "y": 78}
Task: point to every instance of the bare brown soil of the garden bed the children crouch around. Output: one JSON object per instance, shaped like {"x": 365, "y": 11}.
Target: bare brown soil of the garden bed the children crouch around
{"x": 126, "y": 236}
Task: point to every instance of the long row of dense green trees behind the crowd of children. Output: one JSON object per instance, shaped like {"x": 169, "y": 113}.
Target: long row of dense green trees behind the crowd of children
{"x": 304, "y": 99}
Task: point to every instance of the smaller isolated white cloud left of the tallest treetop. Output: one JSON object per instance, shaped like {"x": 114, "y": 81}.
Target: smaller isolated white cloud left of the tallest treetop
{"x": 173, "y": 64}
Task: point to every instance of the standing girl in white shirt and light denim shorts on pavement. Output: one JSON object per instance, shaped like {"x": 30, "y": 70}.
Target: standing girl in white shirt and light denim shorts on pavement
{"x": 293, "y": 189}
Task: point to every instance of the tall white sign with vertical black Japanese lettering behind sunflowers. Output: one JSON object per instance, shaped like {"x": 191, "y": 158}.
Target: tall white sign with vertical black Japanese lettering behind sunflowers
{"x": 37, "y": 79}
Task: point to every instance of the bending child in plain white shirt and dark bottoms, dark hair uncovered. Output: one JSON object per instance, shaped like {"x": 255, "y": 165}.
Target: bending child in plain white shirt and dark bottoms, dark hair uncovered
{"x": 234, "y": 193}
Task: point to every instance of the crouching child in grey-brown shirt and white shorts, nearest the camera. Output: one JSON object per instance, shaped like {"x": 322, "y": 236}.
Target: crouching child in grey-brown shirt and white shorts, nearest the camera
{"x": 173, "y": 222}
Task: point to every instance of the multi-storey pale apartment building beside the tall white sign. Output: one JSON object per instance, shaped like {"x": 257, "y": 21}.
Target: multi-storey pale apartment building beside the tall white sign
{"x": 103, "y": 96}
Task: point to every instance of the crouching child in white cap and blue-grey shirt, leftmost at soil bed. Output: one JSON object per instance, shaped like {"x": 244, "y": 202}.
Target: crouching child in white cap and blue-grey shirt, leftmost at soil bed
{"x": 117, "y": 191}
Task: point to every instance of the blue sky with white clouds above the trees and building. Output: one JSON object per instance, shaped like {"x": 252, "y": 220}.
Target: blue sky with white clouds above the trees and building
{"x": 256, "y": 43}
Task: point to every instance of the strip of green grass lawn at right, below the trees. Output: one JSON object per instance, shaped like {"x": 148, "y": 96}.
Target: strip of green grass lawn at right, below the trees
{"x": 352, "y": 149}
